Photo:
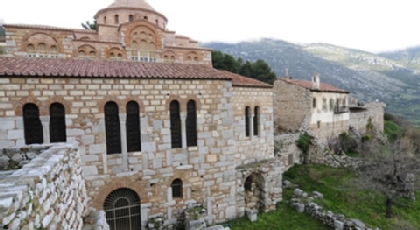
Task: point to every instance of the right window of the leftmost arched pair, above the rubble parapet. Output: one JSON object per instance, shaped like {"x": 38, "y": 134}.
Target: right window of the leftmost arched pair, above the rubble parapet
{"x": 57, "y": 123}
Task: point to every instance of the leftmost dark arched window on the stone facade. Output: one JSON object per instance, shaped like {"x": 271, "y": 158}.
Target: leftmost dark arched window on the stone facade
{"x": 32, "y": 124}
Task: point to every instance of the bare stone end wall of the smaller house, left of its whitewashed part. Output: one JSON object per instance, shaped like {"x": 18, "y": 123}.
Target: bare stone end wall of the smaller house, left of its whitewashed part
{"x": 292, "y": 105}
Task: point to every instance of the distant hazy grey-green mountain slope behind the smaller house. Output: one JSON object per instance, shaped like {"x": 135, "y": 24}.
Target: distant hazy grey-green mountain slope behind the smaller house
{"x": 392, "y": 77}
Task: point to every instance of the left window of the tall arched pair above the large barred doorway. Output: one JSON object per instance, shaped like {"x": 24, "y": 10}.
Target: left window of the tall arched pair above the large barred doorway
{"x": 112, "y": 124}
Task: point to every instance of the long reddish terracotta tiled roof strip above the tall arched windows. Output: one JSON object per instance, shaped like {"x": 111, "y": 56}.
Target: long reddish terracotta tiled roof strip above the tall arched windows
{"x": 87, "y": 68}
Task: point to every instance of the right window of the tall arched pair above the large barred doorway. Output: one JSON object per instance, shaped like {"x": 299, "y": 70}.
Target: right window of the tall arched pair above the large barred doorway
{"x": 133, "y": 127}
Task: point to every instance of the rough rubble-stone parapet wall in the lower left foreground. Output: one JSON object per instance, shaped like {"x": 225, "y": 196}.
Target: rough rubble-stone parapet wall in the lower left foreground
{"x": 46, "y": 193}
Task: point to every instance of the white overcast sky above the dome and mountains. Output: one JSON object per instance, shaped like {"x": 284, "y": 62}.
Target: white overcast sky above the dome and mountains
{"x": 372, "y": 25}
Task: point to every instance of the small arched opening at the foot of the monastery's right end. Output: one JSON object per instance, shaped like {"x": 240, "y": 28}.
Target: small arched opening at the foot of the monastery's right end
{"x": 253, "y": 192}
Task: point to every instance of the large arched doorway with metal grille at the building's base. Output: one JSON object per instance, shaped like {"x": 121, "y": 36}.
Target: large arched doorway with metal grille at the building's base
{"x": 122, "y": 207}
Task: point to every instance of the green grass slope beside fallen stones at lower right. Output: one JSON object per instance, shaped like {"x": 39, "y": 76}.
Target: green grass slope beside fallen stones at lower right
{"x": 342, "y": 198}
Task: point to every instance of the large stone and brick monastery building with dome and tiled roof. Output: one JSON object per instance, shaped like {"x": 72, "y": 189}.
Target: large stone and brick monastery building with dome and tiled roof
{"x": 158, "y": 128}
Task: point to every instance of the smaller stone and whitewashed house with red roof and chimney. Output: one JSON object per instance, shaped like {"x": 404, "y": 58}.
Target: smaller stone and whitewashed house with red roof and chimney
{"x": 312, "y": 106}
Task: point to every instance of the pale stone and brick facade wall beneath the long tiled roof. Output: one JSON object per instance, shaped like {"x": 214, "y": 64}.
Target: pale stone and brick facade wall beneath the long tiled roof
{"x": 207, "y": 171}
